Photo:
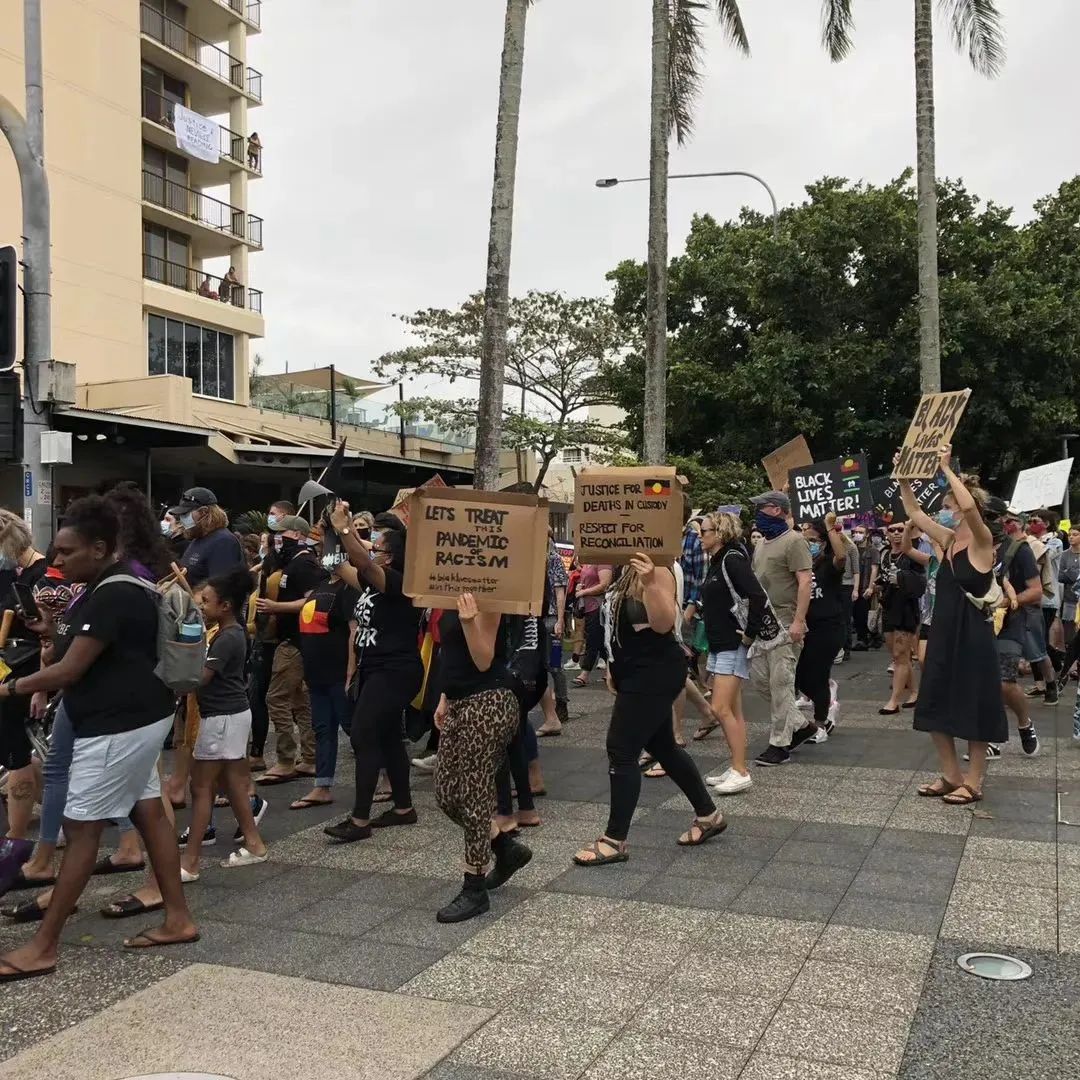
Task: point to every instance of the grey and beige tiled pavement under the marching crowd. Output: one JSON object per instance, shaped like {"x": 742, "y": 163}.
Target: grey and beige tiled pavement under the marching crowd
{"x": 816, "y": 940}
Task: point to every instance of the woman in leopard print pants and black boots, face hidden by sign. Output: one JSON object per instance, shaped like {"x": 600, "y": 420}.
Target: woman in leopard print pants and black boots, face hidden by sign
{"x": 478, "y": 717}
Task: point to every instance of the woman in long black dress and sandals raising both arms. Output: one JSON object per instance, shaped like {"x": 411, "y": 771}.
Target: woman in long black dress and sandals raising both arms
{"x": 961, "y": 696}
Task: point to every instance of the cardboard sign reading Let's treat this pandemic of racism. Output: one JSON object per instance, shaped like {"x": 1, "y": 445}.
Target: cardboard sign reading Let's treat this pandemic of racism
{"x": 489, "y": 544}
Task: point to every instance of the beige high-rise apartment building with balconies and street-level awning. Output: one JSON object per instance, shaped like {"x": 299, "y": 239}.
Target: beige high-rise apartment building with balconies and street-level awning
{"x": 155, "y": 164}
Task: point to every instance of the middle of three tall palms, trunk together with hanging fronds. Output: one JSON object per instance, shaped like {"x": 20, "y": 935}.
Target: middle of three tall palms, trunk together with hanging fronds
{"x": 677, "y": 84}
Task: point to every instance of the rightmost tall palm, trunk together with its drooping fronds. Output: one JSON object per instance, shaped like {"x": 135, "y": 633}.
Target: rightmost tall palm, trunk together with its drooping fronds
{"x": 977, "y": 29}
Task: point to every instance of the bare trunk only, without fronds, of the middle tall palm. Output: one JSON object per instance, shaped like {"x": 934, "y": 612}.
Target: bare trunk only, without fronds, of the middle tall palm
{"x": 656, "y": 305}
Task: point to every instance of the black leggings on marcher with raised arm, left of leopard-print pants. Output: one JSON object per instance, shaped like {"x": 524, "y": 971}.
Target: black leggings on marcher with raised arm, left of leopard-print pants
{"x": 379, "y": 736}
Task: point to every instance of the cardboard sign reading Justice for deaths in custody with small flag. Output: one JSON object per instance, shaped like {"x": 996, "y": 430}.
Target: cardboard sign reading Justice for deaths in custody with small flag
{"x": 619, "y": 512}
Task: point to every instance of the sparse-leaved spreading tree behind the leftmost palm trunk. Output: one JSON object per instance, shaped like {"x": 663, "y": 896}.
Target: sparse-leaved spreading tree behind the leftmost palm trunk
{"x": 557, "y": 350}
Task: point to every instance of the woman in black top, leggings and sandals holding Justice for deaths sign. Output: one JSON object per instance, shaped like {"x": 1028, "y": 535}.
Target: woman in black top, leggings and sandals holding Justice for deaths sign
{"x": 646, "y": 673}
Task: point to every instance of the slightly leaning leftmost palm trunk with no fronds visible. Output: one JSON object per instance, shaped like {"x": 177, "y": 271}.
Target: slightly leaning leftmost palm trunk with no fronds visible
{"x": 497, "y": 292}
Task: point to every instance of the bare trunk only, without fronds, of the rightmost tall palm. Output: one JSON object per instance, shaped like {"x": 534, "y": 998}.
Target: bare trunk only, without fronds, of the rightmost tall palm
{"x": 930, "y": 347}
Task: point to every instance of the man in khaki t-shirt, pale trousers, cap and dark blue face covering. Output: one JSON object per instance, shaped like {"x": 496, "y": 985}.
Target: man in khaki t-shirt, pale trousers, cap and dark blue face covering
{"x": 782, "y": 564}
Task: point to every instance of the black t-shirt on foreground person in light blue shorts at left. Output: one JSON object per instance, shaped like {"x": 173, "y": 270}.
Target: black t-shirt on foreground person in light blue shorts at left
{"x": 119, "y": 692}
